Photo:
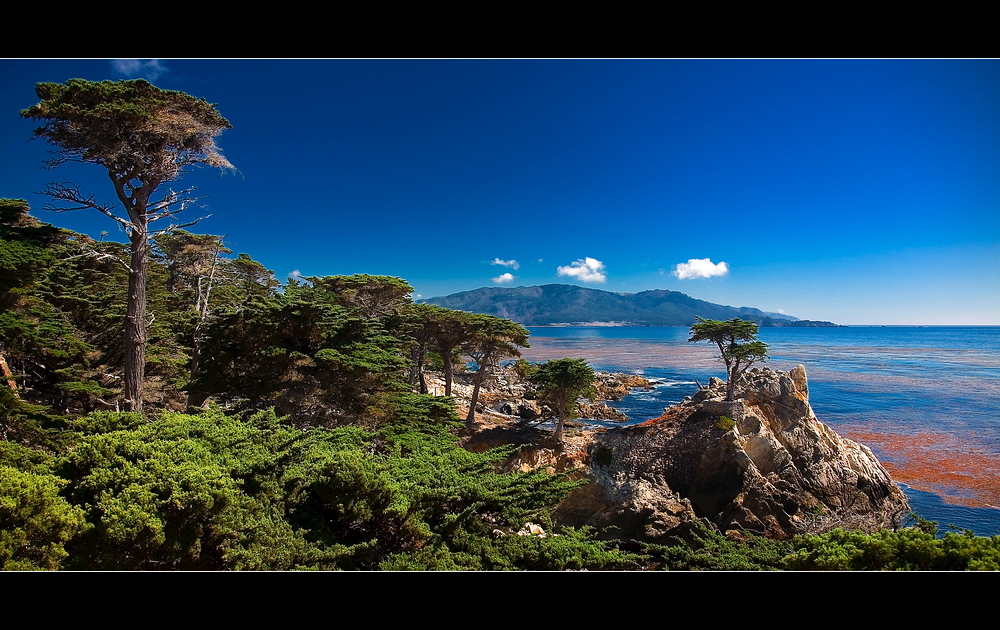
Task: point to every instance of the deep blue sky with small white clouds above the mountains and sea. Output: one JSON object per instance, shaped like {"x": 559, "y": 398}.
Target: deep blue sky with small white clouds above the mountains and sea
{"x": 856, "y": 191}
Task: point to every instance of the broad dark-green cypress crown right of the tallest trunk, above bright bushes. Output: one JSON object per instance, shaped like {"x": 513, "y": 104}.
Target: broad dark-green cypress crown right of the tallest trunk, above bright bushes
{"x": 304, "y": 354}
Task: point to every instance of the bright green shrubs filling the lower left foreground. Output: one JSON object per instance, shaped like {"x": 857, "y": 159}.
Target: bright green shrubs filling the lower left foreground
{"x": 210, "y": 491}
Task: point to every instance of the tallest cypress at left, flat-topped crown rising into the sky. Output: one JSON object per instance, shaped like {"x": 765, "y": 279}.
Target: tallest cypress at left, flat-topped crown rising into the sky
{"x": 144, "y": 137}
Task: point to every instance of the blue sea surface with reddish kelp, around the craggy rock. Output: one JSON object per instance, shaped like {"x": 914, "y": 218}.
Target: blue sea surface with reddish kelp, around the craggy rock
{"x": 926, "y": 400}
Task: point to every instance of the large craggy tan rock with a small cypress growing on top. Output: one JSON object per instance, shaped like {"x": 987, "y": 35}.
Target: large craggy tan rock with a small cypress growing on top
{"x": 762, "y": 462}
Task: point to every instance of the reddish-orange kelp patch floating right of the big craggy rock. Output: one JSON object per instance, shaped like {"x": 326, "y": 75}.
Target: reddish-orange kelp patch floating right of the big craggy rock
{"x": 956, "y": 469}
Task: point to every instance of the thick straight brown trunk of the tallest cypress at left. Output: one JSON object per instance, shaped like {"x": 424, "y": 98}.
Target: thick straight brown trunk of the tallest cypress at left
{"x": 135, "y": 319}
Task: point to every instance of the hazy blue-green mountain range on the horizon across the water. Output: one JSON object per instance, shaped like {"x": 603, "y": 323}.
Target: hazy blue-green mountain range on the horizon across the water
{"x": 566, "y": 304}
